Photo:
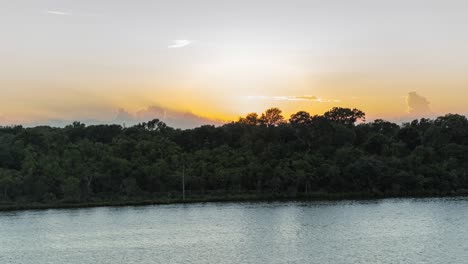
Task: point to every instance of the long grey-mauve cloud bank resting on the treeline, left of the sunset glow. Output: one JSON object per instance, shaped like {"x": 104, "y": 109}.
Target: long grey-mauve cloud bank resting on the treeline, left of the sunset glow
{"x": 173, "y": 118}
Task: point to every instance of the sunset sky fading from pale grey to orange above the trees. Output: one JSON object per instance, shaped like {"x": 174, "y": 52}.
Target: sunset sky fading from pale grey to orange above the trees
{"x": 211, "y": 61}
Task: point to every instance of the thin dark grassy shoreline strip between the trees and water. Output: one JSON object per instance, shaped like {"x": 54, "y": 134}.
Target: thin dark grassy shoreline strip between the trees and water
{"x": 230, "y": 198}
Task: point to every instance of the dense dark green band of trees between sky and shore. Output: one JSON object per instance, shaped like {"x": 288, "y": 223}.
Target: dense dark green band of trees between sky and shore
{"x": 260, "y": 153}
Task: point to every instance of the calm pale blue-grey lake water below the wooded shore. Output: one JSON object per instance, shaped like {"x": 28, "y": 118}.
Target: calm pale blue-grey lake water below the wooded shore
{"x": 380, "y": 231}
